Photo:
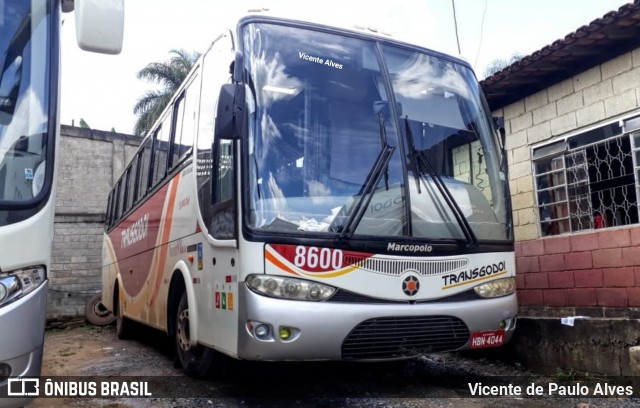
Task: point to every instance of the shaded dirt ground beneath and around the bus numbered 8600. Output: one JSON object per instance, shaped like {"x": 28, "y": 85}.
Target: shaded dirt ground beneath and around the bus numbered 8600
{"x": 95, "y": 352}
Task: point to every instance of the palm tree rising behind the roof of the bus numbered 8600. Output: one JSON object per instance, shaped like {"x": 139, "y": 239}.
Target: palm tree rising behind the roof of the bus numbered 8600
{"x": 169, "y": 75}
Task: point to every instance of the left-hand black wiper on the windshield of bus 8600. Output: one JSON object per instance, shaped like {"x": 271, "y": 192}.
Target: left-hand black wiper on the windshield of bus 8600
{"x": 381, "y": 165}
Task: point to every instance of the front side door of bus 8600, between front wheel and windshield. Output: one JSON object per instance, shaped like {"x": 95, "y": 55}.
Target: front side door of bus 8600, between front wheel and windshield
{"x": 216, "y": 189}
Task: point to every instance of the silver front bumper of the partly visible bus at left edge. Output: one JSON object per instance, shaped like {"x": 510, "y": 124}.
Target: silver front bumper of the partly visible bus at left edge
{"x": 22, "y": 324}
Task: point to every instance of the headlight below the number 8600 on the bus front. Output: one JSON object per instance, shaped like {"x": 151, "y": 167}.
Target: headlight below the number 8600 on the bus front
{"x": 289, "y": 288}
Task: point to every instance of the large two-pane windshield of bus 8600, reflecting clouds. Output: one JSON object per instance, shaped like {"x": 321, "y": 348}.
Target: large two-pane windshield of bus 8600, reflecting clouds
{"x": 374, "y": 138}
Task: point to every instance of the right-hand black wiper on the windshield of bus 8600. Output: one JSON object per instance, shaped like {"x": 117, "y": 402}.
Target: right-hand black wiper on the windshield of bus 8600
{"x": 423, "y": 160}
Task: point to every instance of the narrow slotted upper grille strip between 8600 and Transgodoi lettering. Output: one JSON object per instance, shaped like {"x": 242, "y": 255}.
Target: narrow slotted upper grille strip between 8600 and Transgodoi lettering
{"x": 397, "y": 267}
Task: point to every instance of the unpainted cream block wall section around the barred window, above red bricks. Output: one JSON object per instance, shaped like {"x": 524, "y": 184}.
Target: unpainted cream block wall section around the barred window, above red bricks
{"x": 596, "y": 95}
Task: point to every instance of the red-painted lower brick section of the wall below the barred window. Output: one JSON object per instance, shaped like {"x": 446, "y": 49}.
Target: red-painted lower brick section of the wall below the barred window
{"x": 596, "y": 269}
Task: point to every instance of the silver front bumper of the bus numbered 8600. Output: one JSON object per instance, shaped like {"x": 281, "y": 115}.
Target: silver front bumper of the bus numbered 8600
{"x": 320, "y": 328}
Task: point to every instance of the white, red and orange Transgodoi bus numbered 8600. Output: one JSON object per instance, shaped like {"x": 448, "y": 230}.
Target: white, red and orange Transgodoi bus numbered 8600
{"x": 315, "y": 193}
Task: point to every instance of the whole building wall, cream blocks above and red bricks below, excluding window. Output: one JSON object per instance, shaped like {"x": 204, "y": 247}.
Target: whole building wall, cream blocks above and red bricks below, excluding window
{"x": 594, "y": 268}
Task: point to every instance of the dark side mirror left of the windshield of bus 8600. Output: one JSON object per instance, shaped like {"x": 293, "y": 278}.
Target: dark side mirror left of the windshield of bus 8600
{"x": 229, "y": 113}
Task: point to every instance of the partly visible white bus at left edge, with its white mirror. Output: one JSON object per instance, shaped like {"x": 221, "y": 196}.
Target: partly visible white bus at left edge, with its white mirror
{"x": 29, "y": 130}
